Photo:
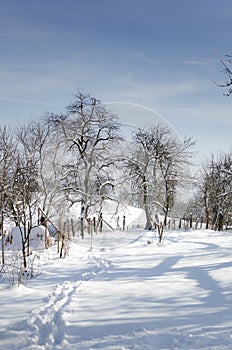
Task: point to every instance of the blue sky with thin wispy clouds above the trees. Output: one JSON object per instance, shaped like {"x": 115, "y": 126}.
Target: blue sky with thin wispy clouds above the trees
{"x": 162, "y": 54}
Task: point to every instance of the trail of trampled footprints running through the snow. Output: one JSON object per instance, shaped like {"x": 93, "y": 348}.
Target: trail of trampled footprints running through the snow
{"x": 47, "y": 323}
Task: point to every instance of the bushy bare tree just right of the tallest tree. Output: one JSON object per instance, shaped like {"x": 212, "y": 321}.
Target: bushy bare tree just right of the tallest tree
{"x": 156, "y": 168}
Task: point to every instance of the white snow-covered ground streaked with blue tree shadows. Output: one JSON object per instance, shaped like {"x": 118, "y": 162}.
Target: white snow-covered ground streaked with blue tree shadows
{"x": 125, "y": 294}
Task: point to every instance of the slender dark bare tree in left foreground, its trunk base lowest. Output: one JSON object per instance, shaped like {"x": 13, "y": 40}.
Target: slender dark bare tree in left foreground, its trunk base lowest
{"x": 26, "y": 191}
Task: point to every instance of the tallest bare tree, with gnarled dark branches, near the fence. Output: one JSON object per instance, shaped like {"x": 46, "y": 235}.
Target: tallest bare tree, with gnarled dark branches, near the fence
{"x": 88, "y": 132}
